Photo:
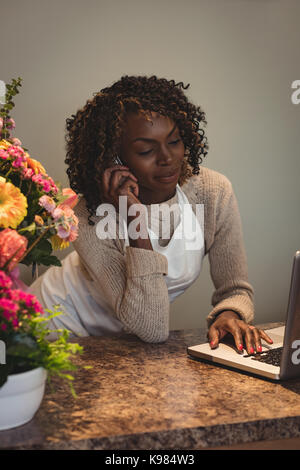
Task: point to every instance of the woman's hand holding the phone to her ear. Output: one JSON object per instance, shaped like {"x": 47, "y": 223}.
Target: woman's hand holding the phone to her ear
{"x": 119, "y": 181}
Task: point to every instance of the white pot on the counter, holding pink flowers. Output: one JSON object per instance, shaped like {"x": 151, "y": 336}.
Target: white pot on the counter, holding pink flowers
{"x": 21, "y": 396}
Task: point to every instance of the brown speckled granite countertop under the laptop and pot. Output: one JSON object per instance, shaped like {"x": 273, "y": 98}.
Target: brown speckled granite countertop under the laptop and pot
{"x": 154, "y": 396}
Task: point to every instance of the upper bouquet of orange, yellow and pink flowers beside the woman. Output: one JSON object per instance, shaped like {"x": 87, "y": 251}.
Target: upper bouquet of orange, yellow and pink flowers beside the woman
{"x": 33, "y": 209}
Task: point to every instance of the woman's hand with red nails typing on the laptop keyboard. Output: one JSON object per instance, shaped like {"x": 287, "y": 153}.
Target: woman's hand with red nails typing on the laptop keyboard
{"x": 229, "y": 322}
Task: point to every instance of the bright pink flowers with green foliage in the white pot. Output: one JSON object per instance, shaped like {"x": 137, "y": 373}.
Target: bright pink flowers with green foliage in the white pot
{"x": 24, "y": 331}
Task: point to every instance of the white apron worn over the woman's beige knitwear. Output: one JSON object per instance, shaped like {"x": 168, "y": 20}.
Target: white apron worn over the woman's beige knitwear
{"x": 86, "y": 311}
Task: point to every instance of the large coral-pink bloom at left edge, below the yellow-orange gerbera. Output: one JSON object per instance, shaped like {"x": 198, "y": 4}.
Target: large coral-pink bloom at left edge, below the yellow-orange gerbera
{"x": 12, "y": 248}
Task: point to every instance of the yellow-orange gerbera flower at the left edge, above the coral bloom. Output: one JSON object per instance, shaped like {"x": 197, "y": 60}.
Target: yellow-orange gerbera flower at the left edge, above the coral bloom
{"x": 13, "y": 205}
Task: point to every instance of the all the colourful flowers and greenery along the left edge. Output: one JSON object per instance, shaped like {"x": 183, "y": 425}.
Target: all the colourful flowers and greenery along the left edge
{"x": 36, "y": 218}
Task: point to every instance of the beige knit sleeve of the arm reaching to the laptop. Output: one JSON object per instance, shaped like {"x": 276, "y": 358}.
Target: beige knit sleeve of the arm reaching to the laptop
{"x": 227, "y": 257}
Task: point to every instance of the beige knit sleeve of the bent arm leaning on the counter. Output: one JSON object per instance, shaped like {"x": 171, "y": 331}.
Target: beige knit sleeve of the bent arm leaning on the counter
{"x": 132, "y": 282}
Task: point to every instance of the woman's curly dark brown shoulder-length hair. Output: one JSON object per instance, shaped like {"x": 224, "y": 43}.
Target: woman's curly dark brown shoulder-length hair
{"x": 94, "y": 132}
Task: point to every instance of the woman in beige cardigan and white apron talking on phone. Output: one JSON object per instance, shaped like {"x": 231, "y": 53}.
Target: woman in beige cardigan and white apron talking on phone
{"x": 142, "y": 139}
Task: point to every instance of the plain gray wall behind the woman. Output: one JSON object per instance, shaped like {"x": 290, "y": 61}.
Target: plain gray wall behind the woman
{"x": 240, "y": 57}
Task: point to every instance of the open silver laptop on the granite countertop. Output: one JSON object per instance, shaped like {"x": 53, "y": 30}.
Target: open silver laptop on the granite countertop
{"x": 279, "y": 361}
